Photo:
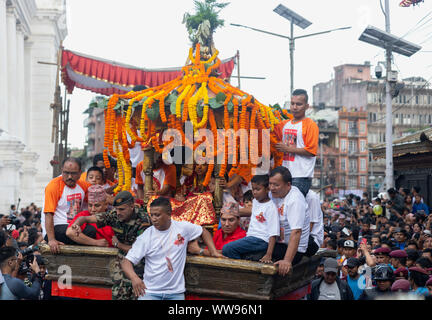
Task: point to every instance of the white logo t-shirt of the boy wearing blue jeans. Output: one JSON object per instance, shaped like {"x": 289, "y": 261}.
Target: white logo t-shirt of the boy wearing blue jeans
{"x": 264, "y": 222}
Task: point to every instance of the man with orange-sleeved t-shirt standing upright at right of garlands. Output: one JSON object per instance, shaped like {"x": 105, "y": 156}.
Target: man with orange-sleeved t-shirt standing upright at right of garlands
{"x": 299, "y": 142}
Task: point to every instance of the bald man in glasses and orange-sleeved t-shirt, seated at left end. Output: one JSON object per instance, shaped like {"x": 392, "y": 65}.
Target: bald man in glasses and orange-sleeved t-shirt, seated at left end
{"x": 64, "y": 197}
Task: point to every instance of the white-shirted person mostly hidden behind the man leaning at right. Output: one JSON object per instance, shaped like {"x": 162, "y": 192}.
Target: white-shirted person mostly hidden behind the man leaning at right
{"x": 316, "y": 224}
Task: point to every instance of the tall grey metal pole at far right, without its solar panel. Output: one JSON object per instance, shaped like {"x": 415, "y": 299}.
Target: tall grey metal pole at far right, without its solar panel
{"x": 389, "y": 115}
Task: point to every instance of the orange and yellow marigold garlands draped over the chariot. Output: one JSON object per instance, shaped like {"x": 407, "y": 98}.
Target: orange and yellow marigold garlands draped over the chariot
{"x": 193, "y": 88}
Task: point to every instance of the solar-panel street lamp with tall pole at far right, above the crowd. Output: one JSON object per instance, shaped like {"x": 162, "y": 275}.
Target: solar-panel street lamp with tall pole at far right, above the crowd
{"x": 390, "y": 43}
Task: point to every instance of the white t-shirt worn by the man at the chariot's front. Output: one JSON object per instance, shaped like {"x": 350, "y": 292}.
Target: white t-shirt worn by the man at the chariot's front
{"x": 156, "y": 246}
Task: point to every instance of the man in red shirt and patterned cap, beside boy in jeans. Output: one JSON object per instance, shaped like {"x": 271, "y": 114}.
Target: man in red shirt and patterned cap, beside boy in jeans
{"x": 230, "y": 231}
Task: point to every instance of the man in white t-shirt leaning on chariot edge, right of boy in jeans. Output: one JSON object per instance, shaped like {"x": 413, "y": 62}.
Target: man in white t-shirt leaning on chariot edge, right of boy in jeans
{"x": 294, "y": 220}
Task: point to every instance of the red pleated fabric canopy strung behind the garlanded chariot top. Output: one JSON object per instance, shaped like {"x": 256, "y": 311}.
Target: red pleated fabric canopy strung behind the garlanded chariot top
{"x": 109, "y": 77}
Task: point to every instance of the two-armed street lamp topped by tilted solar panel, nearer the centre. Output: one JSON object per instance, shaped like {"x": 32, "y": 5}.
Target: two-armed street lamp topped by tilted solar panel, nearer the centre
{"x": 295, "y": 19}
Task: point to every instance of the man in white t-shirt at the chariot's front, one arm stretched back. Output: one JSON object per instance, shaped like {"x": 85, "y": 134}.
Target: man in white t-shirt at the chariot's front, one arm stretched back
{"x": 164, "y": 247}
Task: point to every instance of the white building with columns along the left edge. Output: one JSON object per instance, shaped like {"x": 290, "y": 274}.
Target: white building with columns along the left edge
{"x": 30, "y": 31}
